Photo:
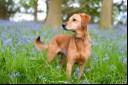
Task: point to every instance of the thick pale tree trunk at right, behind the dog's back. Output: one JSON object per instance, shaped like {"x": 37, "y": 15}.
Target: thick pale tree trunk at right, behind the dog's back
{"x": 106, "y": 14}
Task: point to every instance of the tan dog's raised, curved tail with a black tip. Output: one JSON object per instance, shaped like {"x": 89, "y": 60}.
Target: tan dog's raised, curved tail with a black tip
{"x": 39, "y": 45}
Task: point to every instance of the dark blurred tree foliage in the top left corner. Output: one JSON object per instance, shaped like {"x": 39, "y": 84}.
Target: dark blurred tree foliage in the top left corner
{"x": 7, "y": 9}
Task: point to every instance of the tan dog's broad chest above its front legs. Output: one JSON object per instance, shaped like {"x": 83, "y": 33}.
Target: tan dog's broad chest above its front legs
{"x": 79, "y": 48}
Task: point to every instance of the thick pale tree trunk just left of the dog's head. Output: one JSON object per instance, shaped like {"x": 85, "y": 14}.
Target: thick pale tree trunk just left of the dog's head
{"x": 53, "y": 19}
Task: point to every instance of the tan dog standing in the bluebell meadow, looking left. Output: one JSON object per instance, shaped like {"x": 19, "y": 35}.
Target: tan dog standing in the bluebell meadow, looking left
{"x": 73, "y": 49}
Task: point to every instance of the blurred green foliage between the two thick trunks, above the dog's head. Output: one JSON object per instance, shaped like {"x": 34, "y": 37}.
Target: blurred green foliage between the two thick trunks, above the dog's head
{"x": 85, "y": 6}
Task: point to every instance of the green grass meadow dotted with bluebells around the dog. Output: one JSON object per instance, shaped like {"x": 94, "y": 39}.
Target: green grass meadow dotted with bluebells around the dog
{"x": 21, "y": 63}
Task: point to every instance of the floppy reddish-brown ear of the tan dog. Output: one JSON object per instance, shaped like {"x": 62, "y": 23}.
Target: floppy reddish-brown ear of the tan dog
{"x": 85, "y": 19}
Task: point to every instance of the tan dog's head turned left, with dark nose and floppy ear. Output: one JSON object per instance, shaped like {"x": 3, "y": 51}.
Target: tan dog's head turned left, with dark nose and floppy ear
{"x": 77, "y": 21}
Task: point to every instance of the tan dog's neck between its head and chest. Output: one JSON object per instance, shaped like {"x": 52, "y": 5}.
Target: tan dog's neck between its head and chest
{"x": 81, "y": 34}
